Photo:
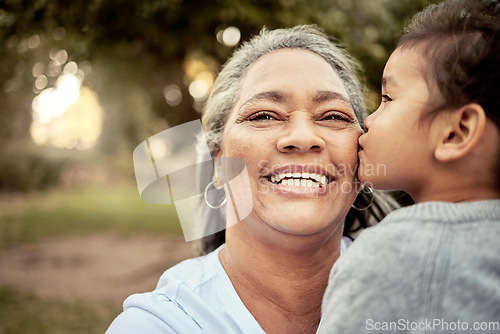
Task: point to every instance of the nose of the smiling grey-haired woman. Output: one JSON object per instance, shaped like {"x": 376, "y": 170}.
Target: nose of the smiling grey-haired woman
{"x": 300, "y": 137}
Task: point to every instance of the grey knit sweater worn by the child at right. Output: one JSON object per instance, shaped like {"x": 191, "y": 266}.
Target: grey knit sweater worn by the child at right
{"x": 428, "y": 268}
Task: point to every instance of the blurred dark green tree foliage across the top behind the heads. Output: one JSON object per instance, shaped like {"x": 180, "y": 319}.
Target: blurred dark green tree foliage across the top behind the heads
{"x": 135, "y": 48}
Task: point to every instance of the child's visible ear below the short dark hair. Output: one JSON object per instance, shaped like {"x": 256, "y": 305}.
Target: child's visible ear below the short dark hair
{"x": 461, "y": 133}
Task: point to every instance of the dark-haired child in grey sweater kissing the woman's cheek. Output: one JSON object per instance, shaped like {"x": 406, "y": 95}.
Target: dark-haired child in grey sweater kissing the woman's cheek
{"x": 434, "y": 266}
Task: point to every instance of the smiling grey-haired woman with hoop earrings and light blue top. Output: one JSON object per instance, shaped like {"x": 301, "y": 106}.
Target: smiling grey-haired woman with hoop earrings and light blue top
{"x": 289, "y": 106}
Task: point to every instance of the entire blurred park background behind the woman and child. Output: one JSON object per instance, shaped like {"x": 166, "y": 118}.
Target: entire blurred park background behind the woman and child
{"x": 82, "y": 83}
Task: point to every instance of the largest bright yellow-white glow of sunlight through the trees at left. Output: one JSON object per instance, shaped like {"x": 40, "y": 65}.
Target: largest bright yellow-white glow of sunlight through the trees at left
{"x": 66, "y": 115}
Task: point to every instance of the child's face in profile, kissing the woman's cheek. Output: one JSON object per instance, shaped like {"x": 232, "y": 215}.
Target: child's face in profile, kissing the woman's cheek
{"x": 395, "y": 150}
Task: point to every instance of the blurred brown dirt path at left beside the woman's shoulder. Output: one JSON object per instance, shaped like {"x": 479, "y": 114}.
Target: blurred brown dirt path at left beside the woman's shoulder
{"x": 95, "y": 267}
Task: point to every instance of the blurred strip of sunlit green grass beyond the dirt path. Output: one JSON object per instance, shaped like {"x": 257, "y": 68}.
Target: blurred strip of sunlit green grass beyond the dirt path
{"x": 77, "y": 211}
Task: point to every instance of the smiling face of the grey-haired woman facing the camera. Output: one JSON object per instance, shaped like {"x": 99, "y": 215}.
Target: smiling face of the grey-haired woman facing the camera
{"x": 297, "y": 133}
